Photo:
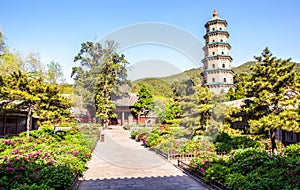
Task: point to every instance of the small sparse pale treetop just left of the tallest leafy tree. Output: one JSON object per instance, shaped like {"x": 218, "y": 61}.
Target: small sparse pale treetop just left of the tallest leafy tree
{"x": 55, "y": 73}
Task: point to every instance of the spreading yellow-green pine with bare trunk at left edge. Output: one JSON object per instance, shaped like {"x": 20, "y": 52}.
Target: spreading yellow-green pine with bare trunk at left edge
{"x": 20, "y": 92}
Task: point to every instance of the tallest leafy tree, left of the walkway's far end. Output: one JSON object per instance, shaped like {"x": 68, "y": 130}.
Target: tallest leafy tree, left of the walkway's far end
{"x": 100, "y": 73}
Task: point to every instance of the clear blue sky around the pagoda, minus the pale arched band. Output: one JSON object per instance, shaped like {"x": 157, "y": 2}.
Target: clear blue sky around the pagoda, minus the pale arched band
{"x": 56, "y": 28}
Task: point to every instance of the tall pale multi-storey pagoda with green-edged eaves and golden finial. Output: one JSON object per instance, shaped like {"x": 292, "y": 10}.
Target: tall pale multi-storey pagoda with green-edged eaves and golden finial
{"x": 217, "y": 73}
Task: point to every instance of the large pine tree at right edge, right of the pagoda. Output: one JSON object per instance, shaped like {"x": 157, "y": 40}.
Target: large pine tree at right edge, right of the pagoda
{"x": 274, "y": 84}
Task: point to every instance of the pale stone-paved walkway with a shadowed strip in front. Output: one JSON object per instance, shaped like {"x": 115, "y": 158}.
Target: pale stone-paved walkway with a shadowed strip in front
{"x": 122, "y": 163}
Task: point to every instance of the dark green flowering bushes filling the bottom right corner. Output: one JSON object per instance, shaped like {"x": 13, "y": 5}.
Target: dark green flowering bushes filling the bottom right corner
{"x": 251, "y": 169}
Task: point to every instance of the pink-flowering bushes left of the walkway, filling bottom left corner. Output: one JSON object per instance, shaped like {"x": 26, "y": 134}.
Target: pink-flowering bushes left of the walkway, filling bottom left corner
{"x": 43, "y": 161}
